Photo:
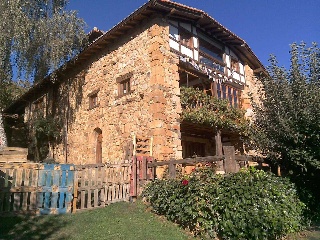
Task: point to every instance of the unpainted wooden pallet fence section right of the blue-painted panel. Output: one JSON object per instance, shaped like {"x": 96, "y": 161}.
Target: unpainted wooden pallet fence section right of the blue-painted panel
{"x": 97, "y": 185}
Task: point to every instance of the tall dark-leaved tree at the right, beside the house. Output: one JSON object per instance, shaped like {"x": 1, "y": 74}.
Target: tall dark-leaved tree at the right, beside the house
{"x": 287, "y": 123}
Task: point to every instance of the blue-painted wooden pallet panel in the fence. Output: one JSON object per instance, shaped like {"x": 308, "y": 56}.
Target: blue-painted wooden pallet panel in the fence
{"x": 56, "y": 184}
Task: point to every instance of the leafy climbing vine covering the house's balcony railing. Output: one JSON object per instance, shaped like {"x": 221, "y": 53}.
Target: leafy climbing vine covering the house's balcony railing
{"x": 200, "y": 108}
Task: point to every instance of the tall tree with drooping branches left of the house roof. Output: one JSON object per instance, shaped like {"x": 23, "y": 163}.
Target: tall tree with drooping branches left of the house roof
{"x": 37, "y": 36}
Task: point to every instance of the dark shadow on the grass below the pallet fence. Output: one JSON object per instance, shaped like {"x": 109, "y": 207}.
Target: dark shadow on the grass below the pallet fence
{"x": 31, "y": 227}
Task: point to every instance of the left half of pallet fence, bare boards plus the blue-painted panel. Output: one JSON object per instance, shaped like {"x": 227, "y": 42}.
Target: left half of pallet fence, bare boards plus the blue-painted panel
{"x": 36, "y": 188}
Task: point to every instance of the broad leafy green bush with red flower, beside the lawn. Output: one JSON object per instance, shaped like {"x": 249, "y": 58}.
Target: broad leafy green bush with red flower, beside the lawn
{"x": 250, "y": 204}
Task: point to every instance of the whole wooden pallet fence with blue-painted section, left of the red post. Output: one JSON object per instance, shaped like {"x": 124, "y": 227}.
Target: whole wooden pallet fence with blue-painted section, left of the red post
{"x": 61, "y": 188}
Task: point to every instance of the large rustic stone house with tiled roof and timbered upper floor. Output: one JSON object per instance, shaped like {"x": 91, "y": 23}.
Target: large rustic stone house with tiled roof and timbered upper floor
{"x": 125, "y": 86}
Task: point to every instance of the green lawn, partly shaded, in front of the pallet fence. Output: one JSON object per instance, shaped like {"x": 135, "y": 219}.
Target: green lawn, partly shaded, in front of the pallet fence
{"x": 118, "y": 221}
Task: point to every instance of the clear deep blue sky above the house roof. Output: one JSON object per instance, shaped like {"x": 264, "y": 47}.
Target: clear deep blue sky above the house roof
{"x": 268, "y": 26}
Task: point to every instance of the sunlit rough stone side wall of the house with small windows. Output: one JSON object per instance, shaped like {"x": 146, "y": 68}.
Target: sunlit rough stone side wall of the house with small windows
{"x": 151, "y": 109}
